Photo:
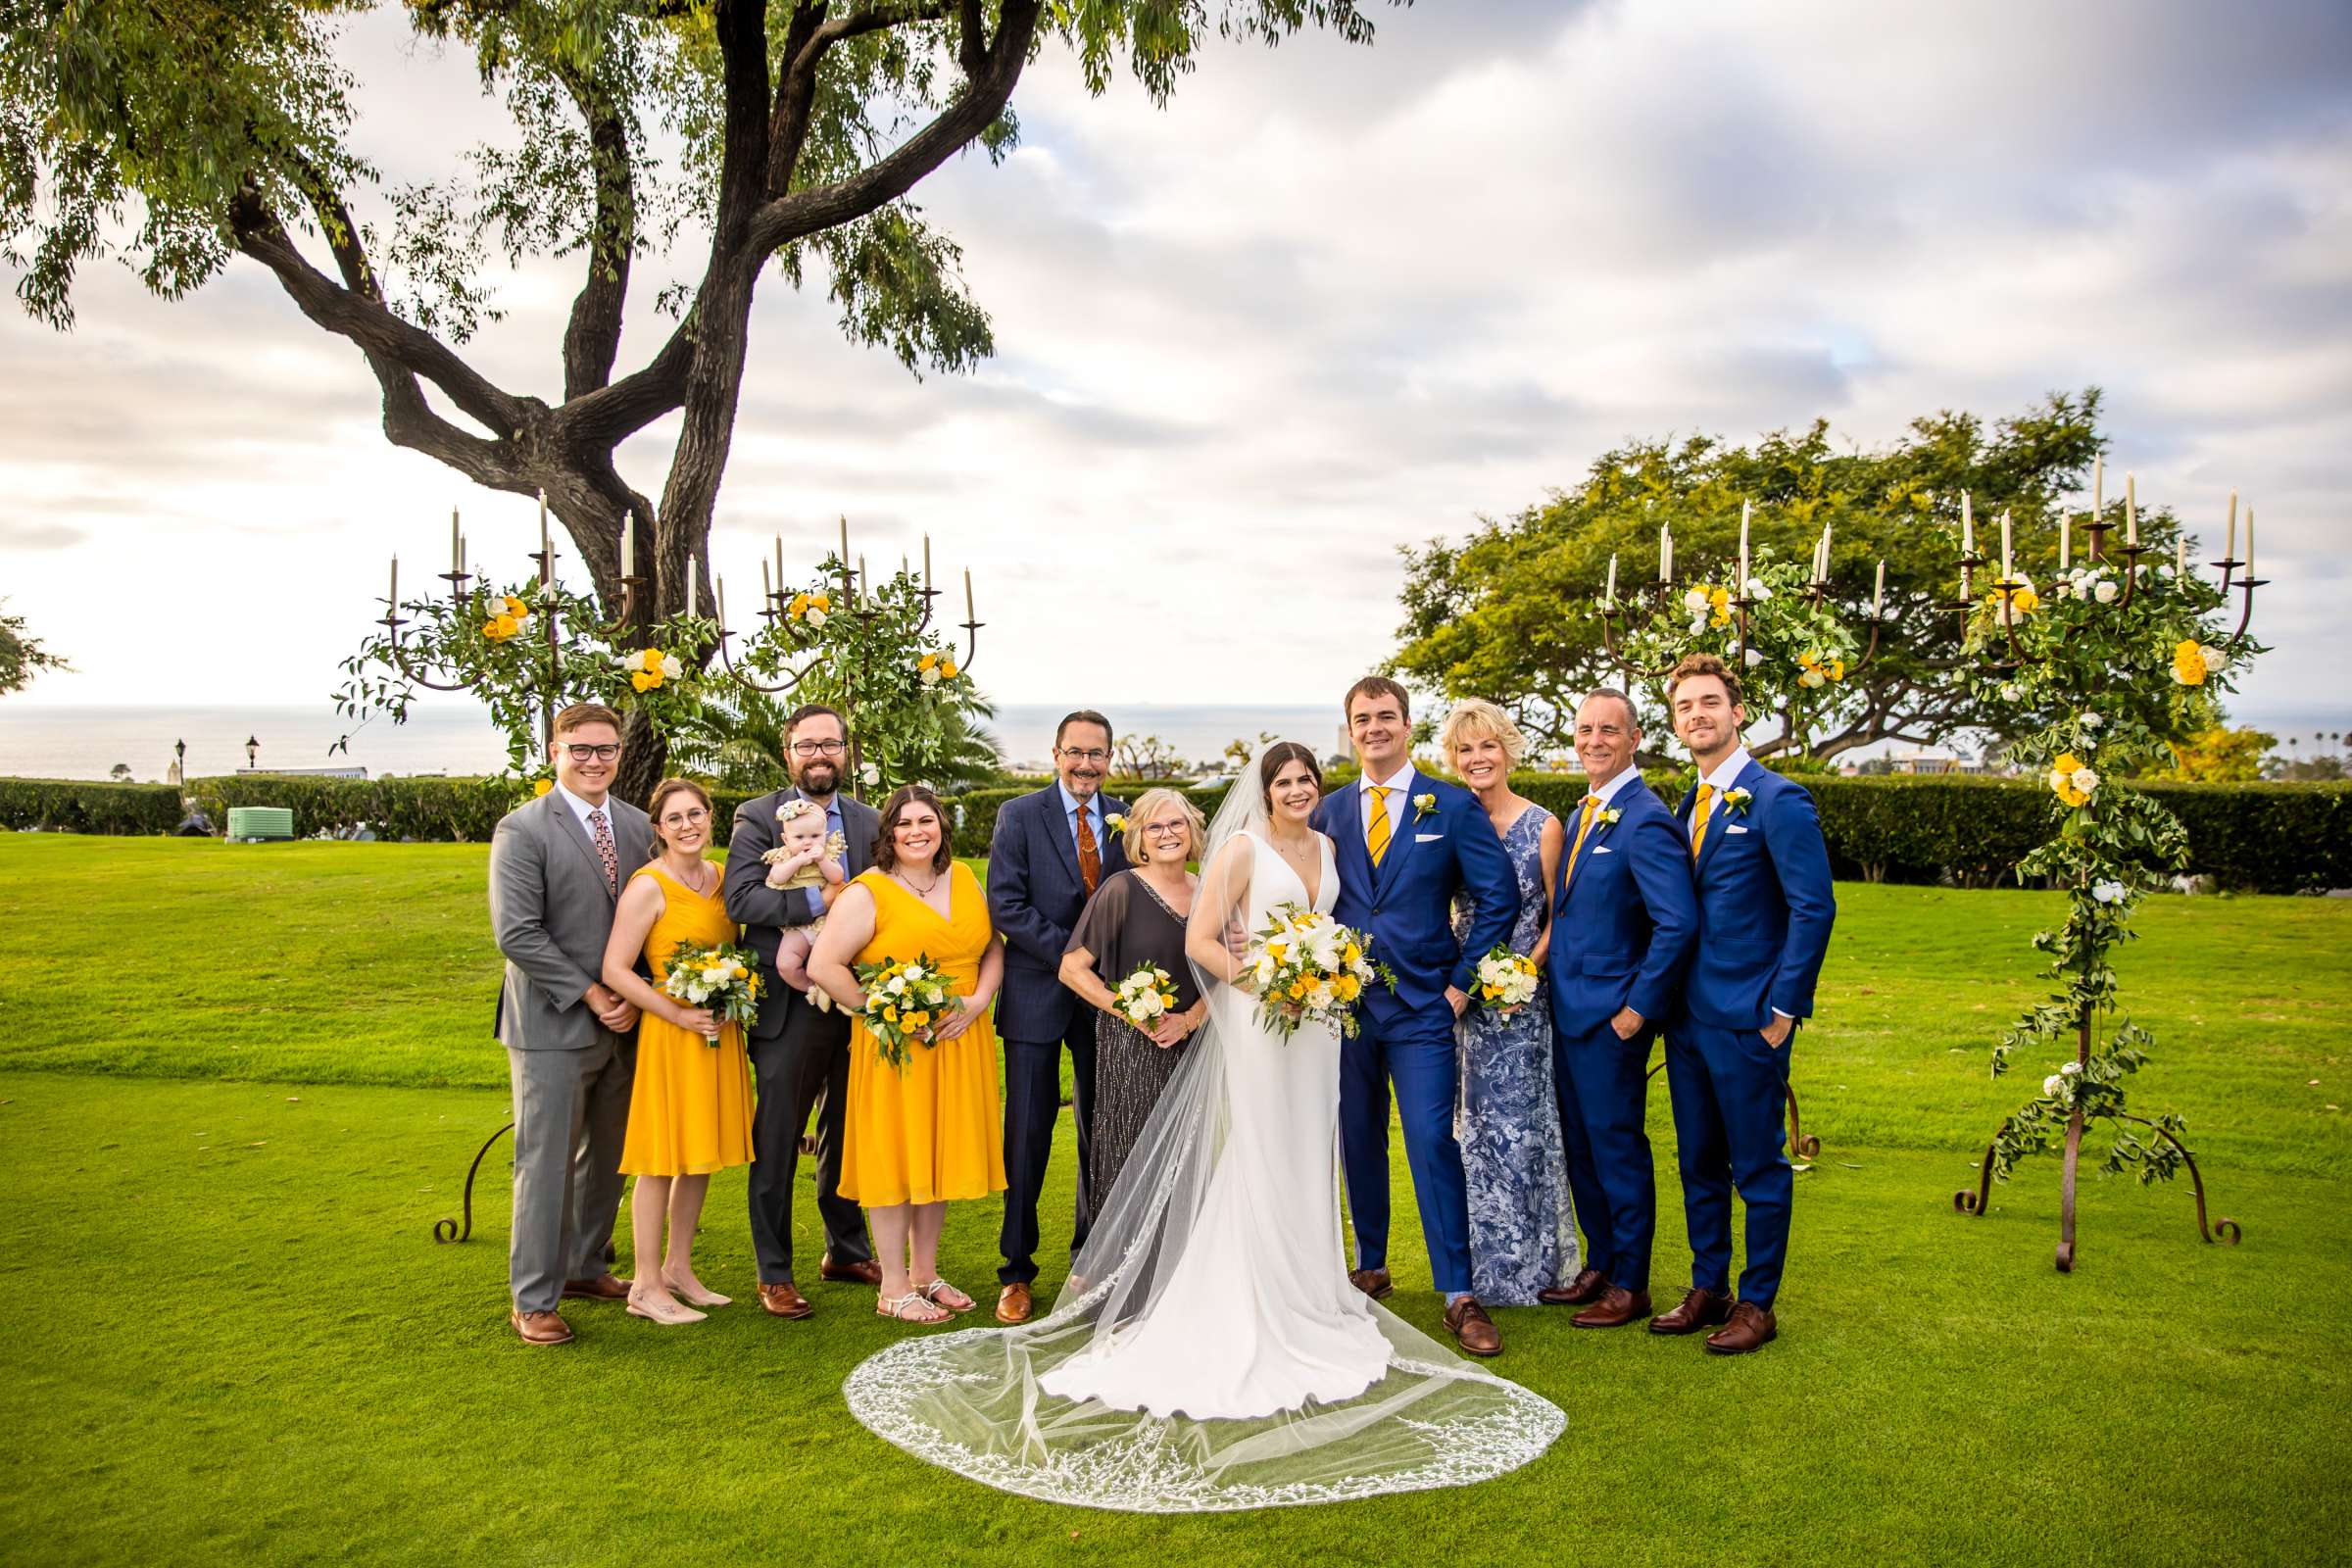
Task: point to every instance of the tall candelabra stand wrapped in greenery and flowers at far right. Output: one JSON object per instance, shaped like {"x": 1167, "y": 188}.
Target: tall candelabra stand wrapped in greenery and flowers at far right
{"x": 2109, "y": 662}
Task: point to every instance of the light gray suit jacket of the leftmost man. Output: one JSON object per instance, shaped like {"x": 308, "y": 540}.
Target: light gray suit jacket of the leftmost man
{"x": 552, "y": 916}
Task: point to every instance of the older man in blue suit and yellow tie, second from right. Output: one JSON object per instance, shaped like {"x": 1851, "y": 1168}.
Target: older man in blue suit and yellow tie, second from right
{"x": 1624, "y": 923}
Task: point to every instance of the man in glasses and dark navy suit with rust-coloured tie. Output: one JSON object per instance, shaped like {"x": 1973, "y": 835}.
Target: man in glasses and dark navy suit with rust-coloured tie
{"x": 1045, "y": 859}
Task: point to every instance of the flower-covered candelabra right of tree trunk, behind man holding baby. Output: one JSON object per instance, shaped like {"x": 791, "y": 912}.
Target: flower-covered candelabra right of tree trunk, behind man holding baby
{"x": 862, "y": 648}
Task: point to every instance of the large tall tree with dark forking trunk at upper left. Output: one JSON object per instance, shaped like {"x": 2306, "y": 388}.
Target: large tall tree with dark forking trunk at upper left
{"x": 180, "y": 135}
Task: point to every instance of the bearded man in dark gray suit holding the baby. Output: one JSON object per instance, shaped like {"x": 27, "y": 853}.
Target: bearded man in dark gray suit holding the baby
{"x": 799, "y": 1054}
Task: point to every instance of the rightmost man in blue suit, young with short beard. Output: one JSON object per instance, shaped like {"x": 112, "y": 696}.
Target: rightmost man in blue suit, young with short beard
{"x": 1765, "y": 913}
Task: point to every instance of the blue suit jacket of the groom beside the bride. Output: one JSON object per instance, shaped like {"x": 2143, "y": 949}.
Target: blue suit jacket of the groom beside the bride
{"x": 1408, "y": 902}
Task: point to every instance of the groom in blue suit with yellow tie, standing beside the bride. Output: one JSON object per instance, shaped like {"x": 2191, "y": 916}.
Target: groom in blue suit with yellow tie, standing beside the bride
{"x": 1405, "y": 847}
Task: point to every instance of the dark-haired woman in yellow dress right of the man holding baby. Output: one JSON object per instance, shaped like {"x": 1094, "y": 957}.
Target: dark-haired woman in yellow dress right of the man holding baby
{"x": 933, "y": 1130}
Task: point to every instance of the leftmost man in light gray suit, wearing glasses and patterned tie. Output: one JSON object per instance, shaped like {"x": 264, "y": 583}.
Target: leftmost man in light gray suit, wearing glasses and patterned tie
{"x": 556, "y": 873}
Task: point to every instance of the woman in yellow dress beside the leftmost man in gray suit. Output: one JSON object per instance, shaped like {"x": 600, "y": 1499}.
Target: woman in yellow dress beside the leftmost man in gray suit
{"x": 690, "y": 1104}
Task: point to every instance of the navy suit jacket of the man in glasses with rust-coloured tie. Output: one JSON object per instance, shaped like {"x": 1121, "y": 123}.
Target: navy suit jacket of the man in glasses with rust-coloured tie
{"x": 1034, "y": 899}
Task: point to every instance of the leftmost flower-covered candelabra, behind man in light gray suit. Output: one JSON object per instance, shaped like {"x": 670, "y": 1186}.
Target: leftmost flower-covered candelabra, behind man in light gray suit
{"x": 528, "y": 650}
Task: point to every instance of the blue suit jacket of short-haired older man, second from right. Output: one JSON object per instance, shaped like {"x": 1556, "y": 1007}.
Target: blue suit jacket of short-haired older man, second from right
{"x": 1624, "y": 918}
